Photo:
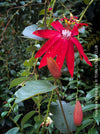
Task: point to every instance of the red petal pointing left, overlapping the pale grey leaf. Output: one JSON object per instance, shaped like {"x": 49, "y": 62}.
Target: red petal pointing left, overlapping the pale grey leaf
{"x": 46, "y": 33}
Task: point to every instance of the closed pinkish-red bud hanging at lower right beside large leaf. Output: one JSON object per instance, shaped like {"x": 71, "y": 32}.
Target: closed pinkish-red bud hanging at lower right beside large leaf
{"x": 78, "y": 114}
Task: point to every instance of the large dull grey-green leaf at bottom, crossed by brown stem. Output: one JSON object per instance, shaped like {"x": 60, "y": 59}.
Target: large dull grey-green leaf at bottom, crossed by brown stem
{"x": 58, "y": 118}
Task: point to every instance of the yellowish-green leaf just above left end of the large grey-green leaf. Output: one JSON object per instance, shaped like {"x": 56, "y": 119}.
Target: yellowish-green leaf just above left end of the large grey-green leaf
{"x": 17, "y": 81}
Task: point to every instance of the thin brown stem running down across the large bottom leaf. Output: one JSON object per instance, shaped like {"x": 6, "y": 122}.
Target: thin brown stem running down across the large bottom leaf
{"x": 57, "y": 92}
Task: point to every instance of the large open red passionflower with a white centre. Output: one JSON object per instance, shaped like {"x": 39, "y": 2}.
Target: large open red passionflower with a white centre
{"x": 60, "y": 45}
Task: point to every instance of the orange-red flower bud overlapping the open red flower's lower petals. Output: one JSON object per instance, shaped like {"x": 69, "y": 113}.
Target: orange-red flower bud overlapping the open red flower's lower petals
{"x": 53, "y": 68}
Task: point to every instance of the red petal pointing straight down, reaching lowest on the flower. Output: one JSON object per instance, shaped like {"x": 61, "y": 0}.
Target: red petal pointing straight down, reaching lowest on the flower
{"x": 70, "y": 58}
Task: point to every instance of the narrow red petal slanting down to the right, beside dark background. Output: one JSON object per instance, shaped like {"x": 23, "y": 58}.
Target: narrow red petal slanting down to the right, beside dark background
{"x": 81, "y": 51}
